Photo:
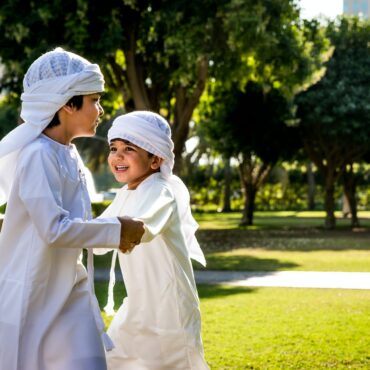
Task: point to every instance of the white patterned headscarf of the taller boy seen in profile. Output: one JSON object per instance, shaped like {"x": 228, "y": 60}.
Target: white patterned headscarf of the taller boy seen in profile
{"x": 49, "y": 83}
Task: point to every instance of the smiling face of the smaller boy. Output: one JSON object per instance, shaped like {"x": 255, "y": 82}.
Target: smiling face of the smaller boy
{"x": 131, "y": 164}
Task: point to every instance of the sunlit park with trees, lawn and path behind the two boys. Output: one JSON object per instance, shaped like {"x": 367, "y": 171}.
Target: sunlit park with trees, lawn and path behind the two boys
{"x": 270, "y": 119}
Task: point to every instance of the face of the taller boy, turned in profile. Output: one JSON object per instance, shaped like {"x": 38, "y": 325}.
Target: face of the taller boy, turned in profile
{"x": 86, "y": 119}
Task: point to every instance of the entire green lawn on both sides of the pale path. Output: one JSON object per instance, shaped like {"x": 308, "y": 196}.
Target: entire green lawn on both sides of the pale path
{"x": 280, "y": 328}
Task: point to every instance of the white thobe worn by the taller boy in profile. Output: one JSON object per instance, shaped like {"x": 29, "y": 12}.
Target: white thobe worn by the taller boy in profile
{"x": 48, "y": 315}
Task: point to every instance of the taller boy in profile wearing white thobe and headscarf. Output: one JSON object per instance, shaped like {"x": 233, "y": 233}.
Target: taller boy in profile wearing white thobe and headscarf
{"x": 49, "y": 316}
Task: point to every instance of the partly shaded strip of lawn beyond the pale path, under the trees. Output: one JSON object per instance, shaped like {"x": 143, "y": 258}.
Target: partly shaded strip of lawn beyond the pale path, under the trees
{"x": 280, "y": 241}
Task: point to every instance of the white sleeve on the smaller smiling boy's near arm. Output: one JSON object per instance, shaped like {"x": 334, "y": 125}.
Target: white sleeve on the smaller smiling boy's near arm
{"x": 155, "y": 206}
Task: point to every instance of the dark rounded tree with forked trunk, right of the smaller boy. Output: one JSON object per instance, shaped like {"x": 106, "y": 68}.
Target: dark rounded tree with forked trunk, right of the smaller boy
{"x": 251, "y": 125}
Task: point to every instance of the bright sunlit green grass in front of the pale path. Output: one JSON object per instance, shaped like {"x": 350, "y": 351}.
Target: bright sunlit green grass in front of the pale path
{"x": 277, "y": 328}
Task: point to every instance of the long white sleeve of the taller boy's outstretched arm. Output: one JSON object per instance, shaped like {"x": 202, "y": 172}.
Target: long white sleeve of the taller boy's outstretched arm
{"x": 40, "y": 186}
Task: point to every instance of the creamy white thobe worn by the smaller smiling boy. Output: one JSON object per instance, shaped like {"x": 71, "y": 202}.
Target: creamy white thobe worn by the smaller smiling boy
{"x": 158, "y": 325}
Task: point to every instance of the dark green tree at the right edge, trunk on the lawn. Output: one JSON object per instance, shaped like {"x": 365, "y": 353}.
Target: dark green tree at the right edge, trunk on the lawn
{"x": 335, "y": 113}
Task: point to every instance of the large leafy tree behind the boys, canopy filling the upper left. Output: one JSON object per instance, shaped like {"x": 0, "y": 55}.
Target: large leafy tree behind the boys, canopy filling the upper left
{"x": 157, "y": 54}
